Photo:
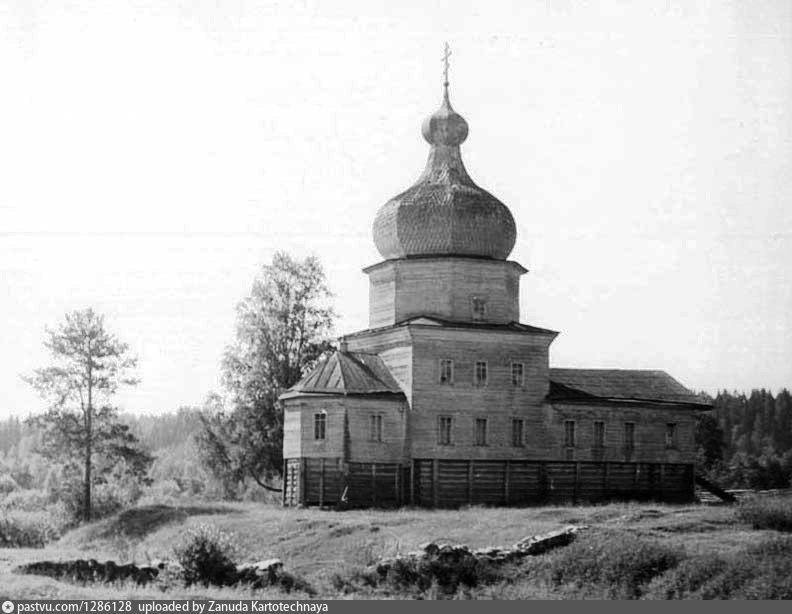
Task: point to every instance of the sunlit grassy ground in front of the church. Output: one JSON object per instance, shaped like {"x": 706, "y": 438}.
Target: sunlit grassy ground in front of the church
{"x": 325, "y": 546}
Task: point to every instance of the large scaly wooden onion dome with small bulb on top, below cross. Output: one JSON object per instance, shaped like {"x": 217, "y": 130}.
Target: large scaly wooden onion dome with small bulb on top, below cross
{"x": 445, "y": 212}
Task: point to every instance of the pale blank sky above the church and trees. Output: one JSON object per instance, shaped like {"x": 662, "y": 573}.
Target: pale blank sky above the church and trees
{"x": 154, "y": 154}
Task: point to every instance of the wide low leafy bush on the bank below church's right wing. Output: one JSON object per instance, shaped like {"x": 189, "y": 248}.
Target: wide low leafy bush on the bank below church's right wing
{"x": 616, "y": 564}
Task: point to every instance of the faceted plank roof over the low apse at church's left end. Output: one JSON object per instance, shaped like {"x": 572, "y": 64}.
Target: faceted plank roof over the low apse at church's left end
{"x": 348, "y": 373}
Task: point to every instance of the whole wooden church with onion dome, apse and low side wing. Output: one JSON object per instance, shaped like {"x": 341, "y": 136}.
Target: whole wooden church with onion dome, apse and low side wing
{"x": 447, "y": 399}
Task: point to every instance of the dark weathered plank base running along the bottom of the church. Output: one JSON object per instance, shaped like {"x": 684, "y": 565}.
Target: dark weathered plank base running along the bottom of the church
{"x": 452, "y": 483}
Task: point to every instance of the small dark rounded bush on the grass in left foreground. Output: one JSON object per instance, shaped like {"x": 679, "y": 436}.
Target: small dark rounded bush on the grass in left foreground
{"x": 207, "y": 555}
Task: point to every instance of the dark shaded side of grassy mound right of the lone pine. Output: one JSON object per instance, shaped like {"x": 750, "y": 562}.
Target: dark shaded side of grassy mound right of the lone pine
{"x": 138, "y": 522}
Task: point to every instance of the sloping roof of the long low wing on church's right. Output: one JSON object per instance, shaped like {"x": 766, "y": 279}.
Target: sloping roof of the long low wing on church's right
{"x": 626, "y": 385}
